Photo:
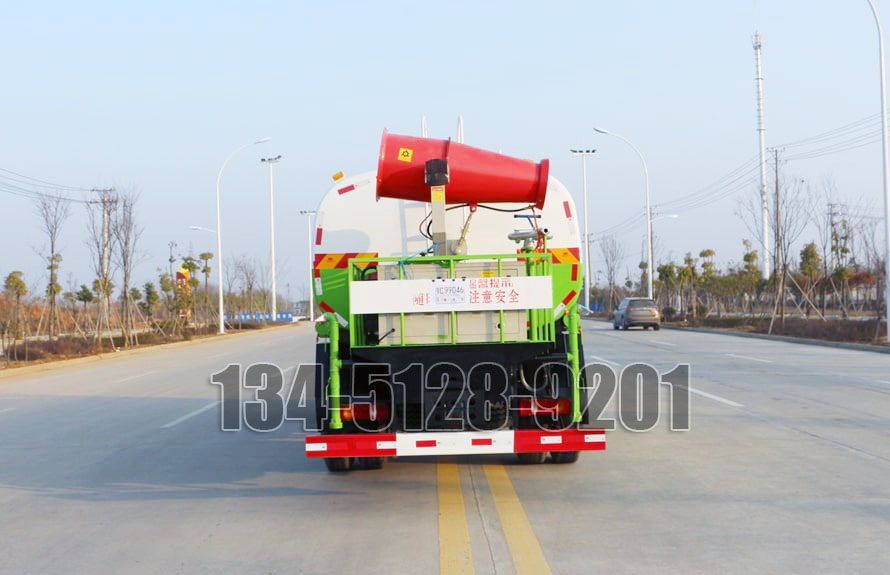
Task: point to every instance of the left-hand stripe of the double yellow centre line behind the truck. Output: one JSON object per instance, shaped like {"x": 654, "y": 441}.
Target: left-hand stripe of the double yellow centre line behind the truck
{"x": 455, "y": 551}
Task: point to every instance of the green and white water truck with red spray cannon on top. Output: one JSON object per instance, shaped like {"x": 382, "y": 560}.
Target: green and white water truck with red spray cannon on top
{"x": 449, "y": 283}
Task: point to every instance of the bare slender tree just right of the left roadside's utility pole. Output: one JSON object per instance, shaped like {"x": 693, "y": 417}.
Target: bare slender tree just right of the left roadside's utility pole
{"x": 126, "y": 233}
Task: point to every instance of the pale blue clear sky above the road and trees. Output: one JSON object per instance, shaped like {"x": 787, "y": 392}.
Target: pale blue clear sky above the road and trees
{"x": 153, "y": 96}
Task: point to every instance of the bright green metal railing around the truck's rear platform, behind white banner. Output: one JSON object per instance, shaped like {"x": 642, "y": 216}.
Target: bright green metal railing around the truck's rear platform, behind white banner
{"x": 541, "y": 321}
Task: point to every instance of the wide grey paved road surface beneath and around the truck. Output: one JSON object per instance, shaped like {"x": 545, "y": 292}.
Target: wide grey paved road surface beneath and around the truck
{"x": 120, "y": 466}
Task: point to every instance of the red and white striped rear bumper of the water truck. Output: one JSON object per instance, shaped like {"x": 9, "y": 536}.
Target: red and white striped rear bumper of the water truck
{"x": 454, "y": 443}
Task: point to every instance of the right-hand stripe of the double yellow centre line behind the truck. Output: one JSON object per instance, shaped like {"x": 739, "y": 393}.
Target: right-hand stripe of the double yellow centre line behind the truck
{"x": 521, "y": 539}
